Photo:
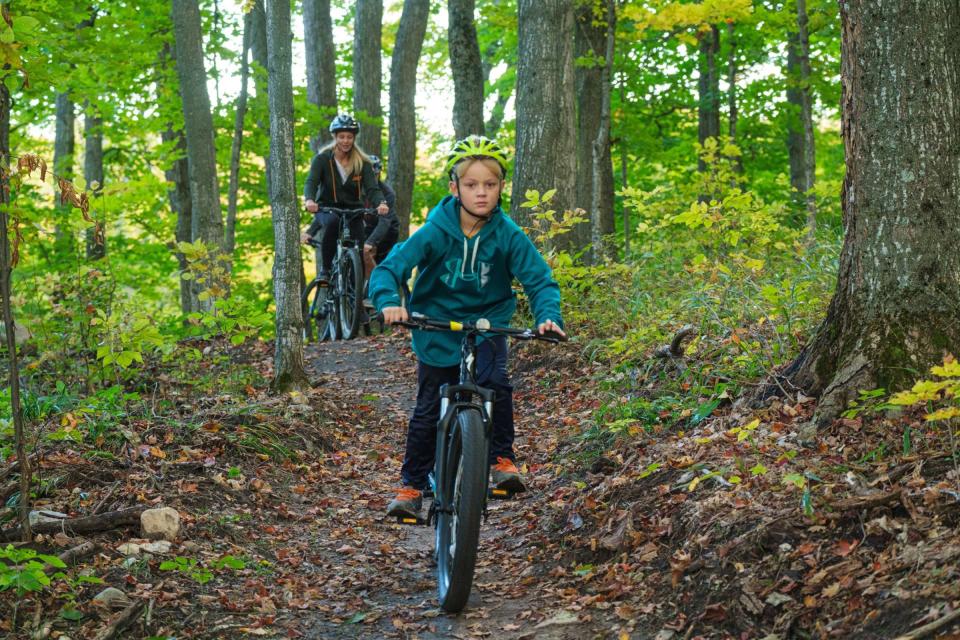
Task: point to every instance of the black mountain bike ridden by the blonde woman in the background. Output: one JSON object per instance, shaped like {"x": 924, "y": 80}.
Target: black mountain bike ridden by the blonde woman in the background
{"x": 335, "y": 310}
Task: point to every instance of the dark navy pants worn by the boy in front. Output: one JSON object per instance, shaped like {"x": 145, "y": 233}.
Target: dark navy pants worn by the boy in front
{"x": 422, "y": 431}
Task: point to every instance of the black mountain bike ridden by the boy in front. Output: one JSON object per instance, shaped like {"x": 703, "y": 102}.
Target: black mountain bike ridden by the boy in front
{"x": 461, "y": 472}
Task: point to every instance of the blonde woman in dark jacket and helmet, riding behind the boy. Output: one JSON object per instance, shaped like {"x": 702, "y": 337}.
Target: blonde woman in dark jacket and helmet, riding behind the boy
{"x": 341, "y": 176}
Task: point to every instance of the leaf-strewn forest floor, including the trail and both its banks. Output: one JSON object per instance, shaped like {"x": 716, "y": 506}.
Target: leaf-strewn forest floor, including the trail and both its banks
{"x": 718, "y": 531}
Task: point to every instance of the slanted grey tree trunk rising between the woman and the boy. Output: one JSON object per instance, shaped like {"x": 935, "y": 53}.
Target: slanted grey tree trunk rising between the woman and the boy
{"x": 403, "y": 87}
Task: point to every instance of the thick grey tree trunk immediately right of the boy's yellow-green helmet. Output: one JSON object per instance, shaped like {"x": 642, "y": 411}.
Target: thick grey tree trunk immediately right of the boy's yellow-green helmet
{"x": 546, "y": 139}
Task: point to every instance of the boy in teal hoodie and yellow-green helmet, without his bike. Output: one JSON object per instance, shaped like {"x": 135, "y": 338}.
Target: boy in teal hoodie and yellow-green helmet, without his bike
{"x": 467, "y": 255}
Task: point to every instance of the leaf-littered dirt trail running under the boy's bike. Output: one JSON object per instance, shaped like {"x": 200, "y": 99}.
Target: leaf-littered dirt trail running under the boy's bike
{"x": 377, "y": 576}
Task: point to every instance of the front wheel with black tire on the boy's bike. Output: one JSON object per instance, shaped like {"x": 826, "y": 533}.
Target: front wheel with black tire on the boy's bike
{"x": 458, "y": 531}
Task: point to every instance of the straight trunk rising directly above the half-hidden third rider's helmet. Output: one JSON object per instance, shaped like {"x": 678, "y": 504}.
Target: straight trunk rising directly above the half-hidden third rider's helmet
{"x": 367, "y": 74}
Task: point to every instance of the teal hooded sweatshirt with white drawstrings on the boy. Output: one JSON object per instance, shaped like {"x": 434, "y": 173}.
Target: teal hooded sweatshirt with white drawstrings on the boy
{"x": 464, "y": 279}
